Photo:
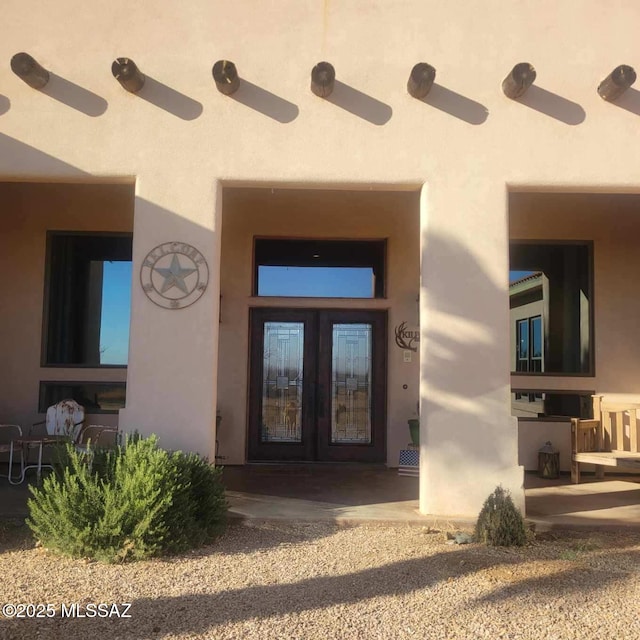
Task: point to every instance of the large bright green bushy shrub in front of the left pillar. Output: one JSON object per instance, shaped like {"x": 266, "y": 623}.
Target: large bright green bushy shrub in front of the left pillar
{"x": 130, "y": 503}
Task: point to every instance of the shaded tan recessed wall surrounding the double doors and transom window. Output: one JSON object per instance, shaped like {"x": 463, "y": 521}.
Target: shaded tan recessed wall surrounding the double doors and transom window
{"x": 248, "y": 213}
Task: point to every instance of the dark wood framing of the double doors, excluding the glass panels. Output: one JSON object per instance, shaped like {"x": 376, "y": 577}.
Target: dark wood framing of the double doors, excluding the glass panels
{"x": 315, "y": 444}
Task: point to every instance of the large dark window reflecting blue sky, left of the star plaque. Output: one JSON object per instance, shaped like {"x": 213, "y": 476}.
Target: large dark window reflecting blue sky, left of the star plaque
{"x": 88, "y": 295}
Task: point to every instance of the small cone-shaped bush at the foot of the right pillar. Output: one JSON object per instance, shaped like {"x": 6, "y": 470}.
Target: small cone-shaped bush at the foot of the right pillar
{"x": 500, "y": 523}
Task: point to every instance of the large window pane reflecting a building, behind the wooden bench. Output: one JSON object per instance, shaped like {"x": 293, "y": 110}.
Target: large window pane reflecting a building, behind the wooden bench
{"x": 550, "y": 301}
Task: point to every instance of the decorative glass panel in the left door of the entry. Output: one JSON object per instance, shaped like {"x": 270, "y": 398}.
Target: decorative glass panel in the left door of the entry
{"x": 282, "y": 382}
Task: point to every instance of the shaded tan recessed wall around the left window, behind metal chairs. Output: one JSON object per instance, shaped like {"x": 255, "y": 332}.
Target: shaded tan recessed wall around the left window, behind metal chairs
{"x": 28, "y": 212}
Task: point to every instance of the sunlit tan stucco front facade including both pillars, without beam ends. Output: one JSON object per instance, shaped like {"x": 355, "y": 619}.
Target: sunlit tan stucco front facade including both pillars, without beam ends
{"x": 181, "y": 140}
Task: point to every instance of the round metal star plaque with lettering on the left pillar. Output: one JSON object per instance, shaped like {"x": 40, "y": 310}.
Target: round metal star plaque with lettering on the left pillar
{"x": 174, "y": 275}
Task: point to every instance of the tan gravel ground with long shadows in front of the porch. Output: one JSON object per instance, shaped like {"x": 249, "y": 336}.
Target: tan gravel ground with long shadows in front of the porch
{"x": 301, "y": 580}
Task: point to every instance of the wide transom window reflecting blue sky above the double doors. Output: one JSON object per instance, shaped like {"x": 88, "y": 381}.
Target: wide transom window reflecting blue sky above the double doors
{"x": 319, "y": 268}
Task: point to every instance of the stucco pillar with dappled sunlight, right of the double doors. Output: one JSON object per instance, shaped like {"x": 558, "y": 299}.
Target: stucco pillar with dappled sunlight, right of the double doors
{"x": 468, "y": 437}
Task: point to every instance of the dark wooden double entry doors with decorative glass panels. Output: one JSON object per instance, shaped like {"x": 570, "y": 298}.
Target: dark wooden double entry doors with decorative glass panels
{"x": 317, "y": 385}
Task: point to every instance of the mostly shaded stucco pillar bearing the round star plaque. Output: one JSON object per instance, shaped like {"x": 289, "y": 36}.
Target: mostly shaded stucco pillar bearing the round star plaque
{"x": 171, "y": 378}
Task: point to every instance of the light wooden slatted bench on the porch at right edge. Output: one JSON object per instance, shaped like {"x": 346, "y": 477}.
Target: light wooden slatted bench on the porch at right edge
{"x": 610, "y": 439}
